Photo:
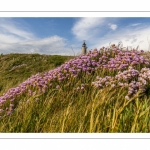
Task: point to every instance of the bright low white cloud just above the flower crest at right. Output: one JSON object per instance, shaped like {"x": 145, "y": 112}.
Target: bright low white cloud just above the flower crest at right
{"x": 128, "y": 36}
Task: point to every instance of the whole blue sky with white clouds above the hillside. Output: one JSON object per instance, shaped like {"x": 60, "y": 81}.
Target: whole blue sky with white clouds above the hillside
{"x": 65, "y": 35}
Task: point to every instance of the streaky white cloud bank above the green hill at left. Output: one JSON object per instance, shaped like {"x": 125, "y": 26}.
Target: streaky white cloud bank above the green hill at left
{"x": 14, "y": 38}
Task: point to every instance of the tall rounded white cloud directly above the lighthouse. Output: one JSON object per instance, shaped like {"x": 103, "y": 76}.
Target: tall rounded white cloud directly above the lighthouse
{"x": 93, "y": 30}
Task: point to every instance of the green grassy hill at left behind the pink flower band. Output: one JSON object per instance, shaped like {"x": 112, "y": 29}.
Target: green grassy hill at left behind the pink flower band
{"x": 16, "y": 68}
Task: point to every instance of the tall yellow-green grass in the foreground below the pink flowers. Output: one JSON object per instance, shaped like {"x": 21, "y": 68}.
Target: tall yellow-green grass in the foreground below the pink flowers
{"x": 90, "y": 110}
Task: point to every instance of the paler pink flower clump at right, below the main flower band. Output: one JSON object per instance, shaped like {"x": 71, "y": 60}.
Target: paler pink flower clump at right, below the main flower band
{"x": 131, "y": 79}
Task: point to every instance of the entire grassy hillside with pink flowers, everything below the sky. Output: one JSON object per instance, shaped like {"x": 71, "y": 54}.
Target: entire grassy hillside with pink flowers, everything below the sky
{"x": 103, "y": 91}
